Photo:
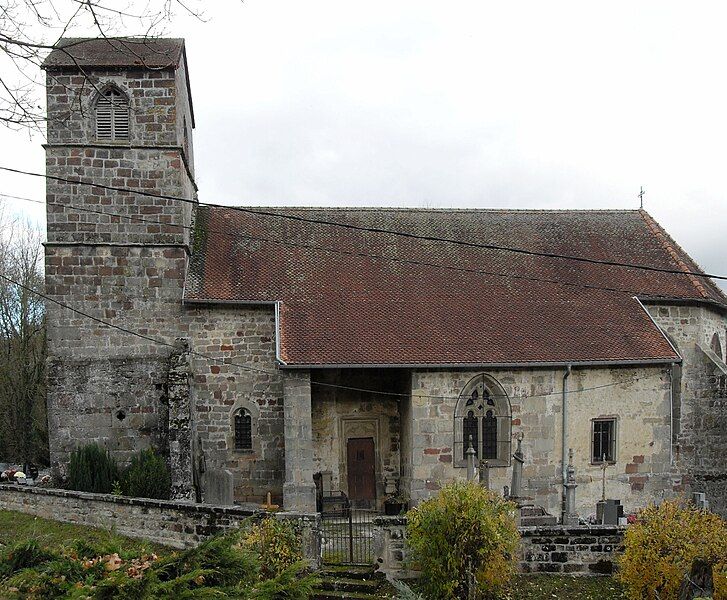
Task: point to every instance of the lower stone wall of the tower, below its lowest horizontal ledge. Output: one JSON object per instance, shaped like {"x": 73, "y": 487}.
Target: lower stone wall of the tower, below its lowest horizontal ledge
{"x": 104, "y": 384}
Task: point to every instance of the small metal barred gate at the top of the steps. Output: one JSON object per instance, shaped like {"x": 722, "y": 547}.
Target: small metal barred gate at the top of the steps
{"x": 348, "y": 536}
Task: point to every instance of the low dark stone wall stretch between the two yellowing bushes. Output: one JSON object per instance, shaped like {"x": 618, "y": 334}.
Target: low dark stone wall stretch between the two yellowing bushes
{"x": 585, "y": 550}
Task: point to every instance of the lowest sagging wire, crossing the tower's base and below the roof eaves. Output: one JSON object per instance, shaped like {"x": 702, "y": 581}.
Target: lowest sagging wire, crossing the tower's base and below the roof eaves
{"x": 225, "y": 361}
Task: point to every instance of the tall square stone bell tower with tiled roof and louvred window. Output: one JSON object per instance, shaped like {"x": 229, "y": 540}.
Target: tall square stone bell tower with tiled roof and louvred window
{"x": 119, "y": 115}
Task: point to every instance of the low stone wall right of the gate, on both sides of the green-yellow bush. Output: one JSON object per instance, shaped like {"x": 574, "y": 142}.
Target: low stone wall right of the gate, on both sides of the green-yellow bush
{"x": 584, "y": 550}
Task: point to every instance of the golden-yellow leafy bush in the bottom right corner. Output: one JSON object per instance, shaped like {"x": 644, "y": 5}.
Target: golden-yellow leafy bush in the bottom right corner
{"x": 664, "y": 543}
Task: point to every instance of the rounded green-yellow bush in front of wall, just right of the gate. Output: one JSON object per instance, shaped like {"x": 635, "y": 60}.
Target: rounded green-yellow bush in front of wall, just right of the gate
{"x": 464, "y": 541}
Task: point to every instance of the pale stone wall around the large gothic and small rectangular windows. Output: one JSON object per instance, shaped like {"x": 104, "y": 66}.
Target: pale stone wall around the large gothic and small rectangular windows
{"x": 637, "y": 397}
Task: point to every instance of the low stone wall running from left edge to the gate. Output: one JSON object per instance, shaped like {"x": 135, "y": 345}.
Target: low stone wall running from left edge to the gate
{"x": 176, "y": 524}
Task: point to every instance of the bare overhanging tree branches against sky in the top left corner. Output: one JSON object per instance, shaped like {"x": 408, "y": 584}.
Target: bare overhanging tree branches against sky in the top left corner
{"x": 29, "y": 29}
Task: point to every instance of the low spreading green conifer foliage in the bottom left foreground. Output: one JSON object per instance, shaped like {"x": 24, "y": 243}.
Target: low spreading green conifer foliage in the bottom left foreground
{"x": 220, "y": 567}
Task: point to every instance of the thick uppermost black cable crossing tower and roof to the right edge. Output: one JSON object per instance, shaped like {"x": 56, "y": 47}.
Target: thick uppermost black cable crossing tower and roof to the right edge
{"x": 404, "y": 234}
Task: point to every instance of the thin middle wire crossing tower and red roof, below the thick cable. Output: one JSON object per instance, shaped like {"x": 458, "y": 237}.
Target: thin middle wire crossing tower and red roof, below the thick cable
{"x": 360, "y": 254}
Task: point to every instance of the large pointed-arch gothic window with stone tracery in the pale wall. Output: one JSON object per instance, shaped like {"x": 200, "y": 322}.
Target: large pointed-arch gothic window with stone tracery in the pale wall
{"x": 483, "y": 417}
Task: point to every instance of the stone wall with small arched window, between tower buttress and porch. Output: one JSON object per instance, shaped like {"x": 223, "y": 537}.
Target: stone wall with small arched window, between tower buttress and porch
{"x": 244, "y": 336}
